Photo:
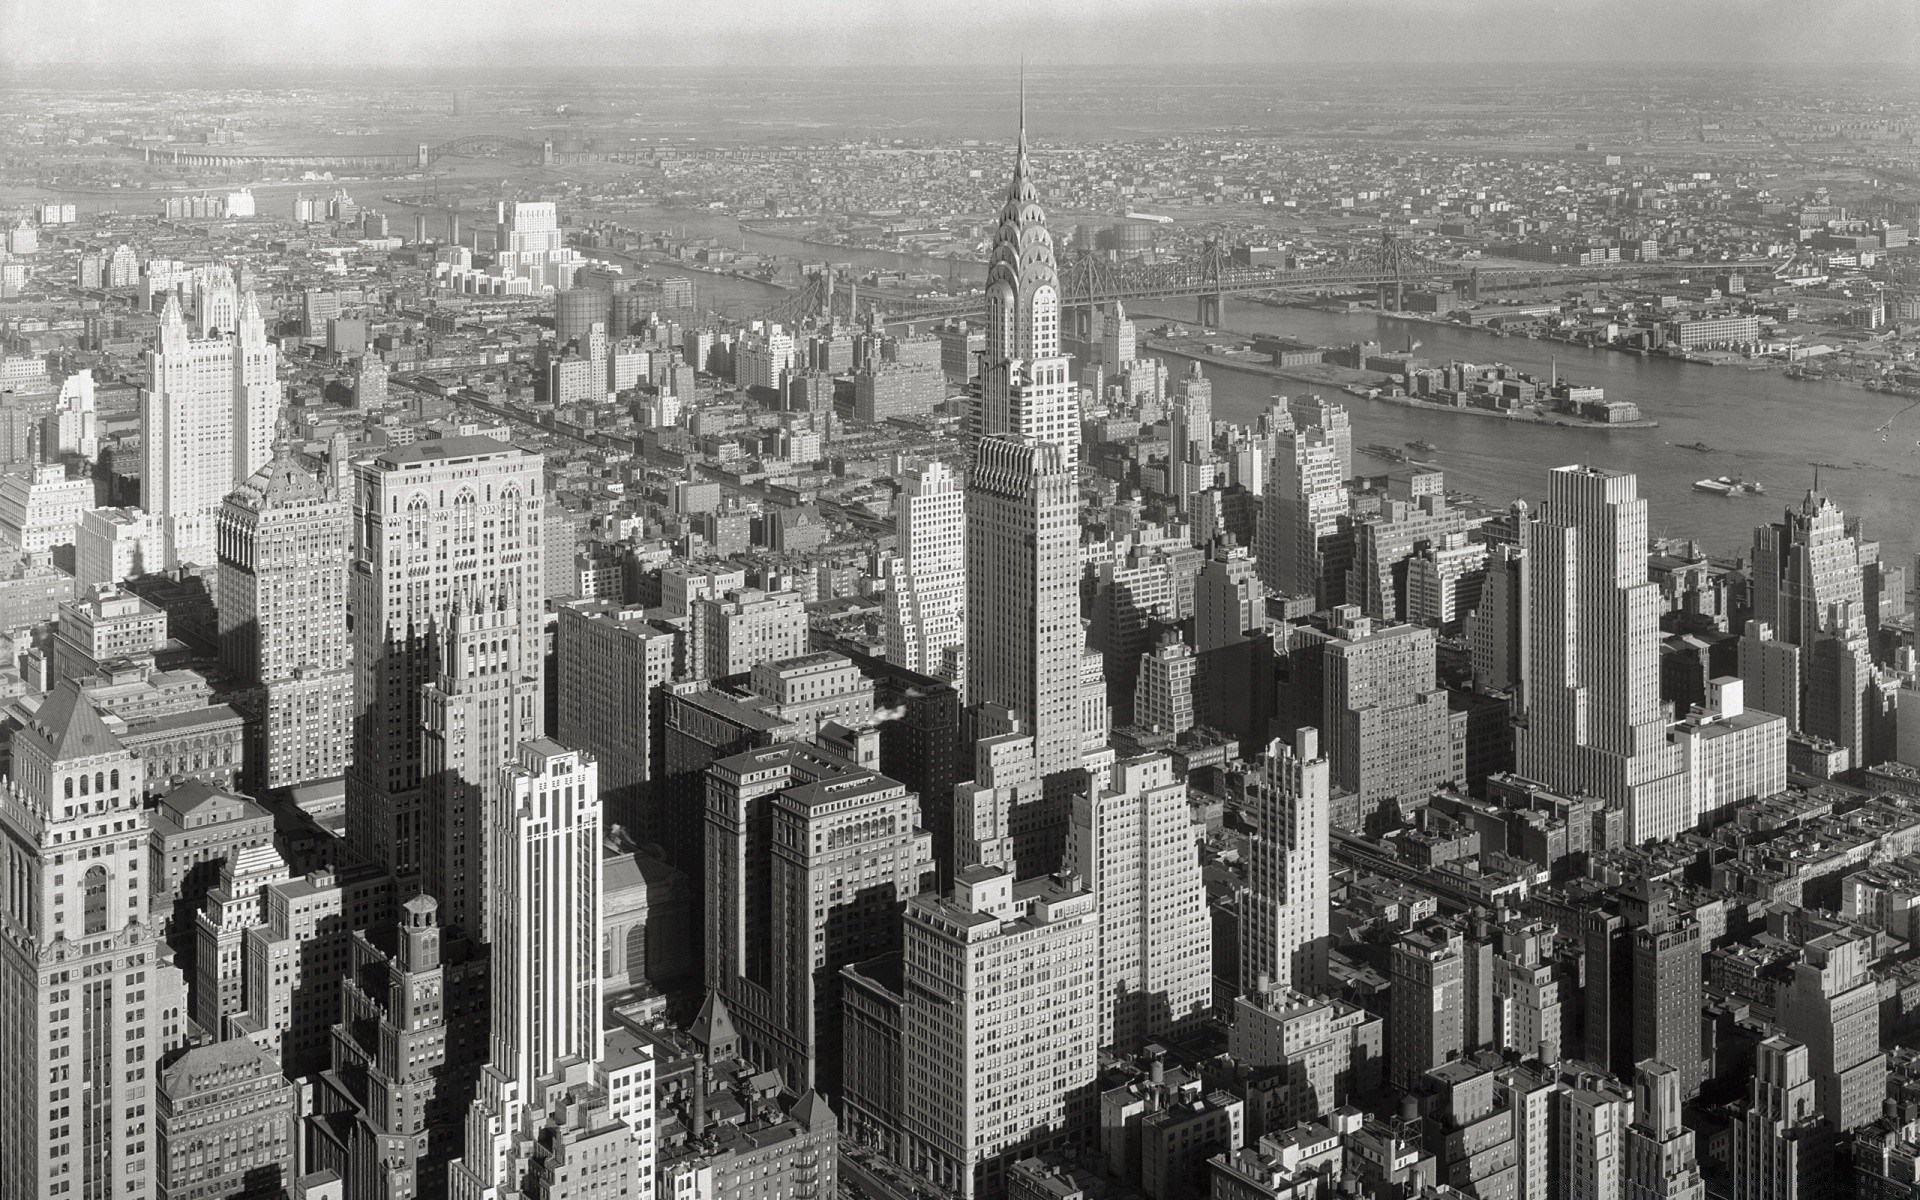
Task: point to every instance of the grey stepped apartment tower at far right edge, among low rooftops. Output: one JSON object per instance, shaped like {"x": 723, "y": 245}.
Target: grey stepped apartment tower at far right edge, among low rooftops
{"x": 1833, "y": 1009}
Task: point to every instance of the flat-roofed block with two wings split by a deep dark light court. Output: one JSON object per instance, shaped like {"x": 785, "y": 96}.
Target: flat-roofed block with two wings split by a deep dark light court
{"x": 777, "y": 938}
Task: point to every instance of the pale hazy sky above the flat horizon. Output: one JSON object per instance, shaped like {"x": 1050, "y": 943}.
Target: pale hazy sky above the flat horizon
{"x": 661, "y": 34}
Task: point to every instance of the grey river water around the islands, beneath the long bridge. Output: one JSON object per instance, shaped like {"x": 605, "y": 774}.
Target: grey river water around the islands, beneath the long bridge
{"x": 1764, "y": 427}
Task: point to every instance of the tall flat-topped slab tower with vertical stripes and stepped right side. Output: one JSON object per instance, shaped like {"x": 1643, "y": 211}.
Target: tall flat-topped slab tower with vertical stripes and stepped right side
{"x": 1596, "y": 721}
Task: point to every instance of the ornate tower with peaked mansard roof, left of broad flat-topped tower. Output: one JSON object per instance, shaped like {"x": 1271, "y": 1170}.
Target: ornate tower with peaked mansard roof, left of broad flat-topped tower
{"x": 283, "y": 615}
